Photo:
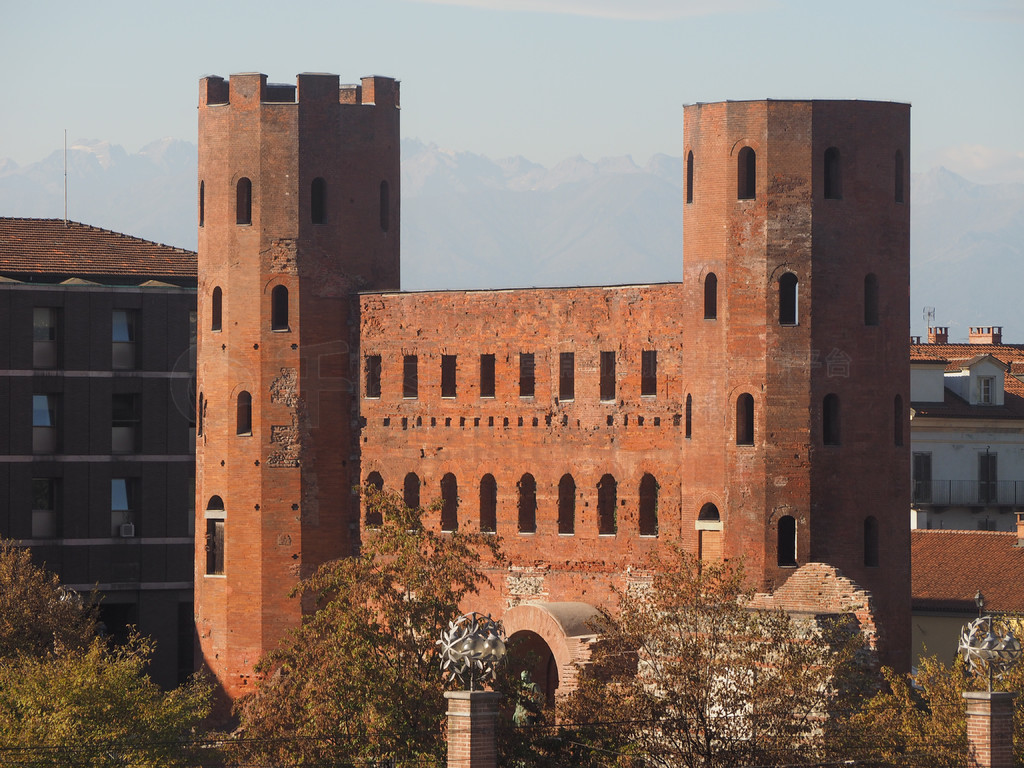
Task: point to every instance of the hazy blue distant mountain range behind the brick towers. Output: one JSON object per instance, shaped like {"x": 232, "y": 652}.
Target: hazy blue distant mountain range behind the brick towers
{"x": 471, "y": 222}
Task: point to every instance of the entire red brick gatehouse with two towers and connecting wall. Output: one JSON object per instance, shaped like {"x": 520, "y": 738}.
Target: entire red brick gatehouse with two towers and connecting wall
{"x": 756, "y": 410}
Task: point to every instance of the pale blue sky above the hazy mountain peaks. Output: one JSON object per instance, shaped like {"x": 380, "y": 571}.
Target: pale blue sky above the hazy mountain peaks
{"x": 544, "y": 79}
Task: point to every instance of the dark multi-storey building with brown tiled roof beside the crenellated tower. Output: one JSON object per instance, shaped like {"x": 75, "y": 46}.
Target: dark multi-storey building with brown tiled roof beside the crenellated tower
{"x": 97, "y": 426}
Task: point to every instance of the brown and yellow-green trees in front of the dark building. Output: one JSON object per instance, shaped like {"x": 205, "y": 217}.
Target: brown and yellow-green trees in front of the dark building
{"x": 68, "y": 698}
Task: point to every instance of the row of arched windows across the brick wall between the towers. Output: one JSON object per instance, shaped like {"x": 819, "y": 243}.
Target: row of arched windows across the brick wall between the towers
{"x": 527, "y": 507}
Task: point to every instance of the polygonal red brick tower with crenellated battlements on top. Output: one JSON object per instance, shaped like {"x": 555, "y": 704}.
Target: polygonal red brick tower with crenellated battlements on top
{"x": 298, "y": 201}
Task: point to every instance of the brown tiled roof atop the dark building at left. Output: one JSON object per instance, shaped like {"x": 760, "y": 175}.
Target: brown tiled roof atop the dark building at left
{"x": 48, "y": 247}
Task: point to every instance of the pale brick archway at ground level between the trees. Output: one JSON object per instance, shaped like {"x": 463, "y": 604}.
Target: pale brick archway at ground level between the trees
{"x": 565, "y": 628}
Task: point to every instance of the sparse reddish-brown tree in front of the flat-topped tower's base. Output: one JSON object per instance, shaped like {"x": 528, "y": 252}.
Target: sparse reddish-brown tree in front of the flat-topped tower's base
{"x": 686, "y": 675}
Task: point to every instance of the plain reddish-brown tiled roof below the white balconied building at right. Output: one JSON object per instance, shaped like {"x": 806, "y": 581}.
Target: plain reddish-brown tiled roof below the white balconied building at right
{"x": 950, "y": 567}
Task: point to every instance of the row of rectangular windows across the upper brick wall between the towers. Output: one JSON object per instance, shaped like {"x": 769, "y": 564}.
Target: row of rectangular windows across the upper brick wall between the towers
{"x": 528, "y": 380}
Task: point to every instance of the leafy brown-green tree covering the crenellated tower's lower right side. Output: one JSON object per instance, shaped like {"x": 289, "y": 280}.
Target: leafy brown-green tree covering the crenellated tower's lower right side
{"x": 360, "y": 679}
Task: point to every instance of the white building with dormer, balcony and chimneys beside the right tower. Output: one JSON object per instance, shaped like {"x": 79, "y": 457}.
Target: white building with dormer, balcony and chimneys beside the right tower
{"x": 967, "y": 432}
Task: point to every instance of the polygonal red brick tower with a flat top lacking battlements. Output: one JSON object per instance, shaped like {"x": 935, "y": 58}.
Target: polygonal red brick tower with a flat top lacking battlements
{"x": 797, "y": 268}
